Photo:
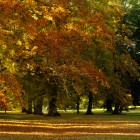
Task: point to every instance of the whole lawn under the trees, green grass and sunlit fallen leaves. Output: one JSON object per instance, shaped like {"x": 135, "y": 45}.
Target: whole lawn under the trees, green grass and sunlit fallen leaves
{"x": 70, "y": 126}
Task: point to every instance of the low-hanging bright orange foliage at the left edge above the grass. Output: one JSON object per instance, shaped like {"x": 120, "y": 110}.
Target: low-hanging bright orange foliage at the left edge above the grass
{"x": 10, "y": 89}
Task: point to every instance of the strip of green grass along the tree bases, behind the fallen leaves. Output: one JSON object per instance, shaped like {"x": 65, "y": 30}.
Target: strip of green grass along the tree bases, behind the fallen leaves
{"x": 98, "y": 116}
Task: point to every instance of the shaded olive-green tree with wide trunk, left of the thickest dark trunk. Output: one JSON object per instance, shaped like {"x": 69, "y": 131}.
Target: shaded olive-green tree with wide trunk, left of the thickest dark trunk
{"x": 35, "y": 87}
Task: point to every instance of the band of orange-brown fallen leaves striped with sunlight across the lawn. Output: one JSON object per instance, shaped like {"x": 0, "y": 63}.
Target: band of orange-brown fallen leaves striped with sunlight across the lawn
{"x": 71, "y": 128}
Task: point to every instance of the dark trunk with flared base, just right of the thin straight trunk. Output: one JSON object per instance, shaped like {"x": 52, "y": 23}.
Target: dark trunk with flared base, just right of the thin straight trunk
{"x": 90, "y": 101}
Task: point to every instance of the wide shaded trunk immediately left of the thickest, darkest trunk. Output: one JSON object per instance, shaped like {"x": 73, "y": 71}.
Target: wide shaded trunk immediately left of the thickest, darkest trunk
{"x": 38, "y": 106}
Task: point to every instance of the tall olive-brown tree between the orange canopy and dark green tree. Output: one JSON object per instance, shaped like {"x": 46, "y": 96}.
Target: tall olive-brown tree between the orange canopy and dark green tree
{"x": 122, "y": 72}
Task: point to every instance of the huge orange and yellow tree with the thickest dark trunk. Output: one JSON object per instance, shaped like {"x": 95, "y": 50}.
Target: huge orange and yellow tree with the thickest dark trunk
{"x": 56, "y": 36}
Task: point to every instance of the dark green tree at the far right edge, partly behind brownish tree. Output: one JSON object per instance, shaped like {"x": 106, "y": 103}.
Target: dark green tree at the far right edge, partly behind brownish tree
{"x": 131, "y": 20}
